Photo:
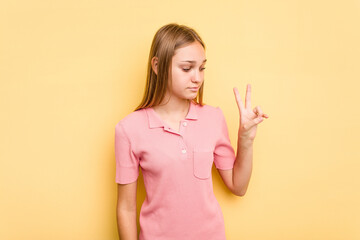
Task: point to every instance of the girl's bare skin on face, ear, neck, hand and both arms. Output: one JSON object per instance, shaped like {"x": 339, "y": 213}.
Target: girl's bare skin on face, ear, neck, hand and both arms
{"x": 173, "y": 109}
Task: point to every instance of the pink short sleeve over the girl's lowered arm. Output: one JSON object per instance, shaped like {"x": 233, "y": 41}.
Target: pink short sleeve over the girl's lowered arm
{"x": 127, "y": 164}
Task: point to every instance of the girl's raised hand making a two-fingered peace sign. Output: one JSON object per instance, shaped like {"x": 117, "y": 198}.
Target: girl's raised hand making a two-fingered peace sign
{"x": 249, "y": 118}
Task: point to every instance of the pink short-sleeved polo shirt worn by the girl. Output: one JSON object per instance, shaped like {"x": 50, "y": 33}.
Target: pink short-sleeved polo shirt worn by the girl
{"x": 180, "y": 203}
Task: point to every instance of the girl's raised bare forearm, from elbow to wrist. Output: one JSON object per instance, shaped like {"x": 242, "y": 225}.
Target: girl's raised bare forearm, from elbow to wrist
{"x": 242, "y": 166}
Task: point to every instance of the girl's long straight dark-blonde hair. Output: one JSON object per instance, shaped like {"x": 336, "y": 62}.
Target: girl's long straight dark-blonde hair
{"x": 166, "y": 40}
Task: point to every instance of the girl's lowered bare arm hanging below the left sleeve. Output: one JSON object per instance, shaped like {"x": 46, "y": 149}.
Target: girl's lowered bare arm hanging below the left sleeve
{"x": 126, "y": 211}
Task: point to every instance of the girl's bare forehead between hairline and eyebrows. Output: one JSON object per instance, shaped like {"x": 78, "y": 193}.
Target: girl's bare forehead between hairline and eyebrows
{"x": 192, "y": 52}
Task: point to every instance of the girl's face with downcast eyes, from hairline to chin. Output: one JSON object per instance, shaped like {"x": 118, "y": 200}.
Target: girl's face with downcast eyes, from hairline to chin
{"x": 188, "y": 66}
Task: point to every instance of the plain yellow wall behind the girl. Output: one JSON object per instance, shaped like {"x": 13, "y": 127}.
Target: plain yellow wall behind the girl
{"x": 70, "y": 70}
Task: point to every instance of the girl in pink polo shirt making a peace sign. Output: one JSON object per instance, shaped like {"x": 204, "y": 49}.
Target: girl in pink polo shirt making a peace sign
{"x": 175, "y": 138}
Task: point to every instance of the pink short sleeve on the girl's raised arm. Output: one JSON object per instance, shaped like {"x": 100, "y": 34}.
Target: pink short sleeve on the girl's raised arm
{"x": 224, "y": 155}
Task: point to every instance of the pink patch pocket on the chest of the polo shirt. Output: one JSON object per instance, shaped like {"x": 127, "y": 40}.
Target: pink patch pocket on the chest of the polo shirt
{"x": 203, "y": 160}
